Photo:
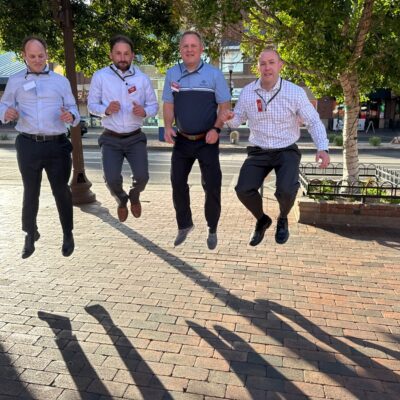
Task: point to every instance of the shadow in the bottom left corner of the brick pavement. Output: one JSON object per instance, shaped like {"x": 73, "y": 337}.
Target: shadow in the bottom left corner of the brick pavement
{"x": 10, "y": 384}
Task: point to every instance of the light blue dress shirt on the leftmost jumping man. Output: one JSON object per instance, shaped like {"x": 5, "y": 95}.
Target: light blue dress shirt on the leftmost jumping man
{"x": 39, "y": 98}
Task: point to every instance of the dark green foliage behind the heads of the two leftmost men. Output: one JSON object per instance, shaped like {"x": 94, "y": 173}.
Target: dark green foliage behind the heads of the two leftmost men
{"x": 149, "y": 23}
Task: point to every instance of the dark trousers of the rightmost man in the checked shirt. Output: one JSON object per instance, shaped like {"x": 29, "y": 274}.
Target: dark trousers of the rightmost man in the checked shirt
{"x": 257, "y": 166}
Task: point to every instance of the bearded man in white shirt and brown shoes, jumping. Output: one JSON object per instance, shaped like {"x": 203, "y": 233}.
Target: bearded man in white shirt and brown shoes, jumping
{"x": 123, "y": 96}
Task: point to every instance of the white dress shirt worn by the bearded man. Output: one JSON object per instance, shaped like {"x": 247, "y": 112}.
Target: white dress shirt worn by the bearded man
{"x": 110, "y": 84}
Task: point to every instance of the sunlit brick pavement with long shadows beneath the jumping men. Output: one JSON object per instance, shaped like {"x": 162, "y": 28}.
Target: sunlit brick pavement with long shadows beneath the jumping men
{"x": 128, "y": 316}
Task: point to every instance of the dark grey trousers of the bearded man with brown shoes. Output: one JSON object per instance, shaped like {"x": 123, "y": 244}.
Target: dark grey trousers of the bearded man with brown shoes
{"x": 114, "y": 150}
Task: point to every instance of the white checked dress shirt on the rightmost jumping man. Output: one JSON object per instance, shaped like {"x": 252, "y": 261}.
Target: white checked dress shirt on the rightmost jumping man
{"x": 273, "y": 116}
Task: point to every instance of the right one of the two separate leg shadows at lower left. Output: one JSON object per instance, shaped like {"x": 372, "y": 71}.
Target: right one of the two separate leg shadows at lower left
{"x": 145, "y": 379}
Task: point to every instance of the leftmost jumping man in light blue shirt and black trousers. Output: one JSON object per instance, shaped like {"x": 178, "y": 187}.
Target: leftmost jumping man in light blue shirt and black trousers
{"x": 42, "y": 103}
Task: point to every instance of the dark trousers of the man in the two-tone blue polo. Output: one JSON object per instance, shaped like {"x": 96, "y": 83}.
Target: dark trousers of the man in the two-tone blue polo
{"x": 184, "y": 154}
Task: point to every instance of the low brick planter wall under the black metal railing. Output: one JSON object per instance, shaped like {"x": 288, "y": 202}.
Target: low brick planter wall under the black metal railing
{"x": 329, "y": 212}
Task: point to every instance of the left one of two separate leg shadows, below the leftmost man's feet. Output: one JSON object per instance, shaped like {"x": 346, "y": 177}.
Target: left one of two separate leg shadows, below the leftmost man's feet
{"x": 86, "y": 380}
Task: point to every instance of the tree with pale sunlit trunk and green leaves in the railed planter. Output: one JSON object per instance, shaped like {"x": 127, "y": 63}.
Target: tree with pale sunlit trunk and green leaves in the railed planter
{"x": 341, "y": 48}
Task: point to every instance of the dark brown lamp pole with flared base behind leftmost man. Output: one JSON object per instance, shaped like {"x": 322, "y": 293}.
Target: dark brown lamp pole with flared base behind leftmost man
{"x": 80, "y": 185}
